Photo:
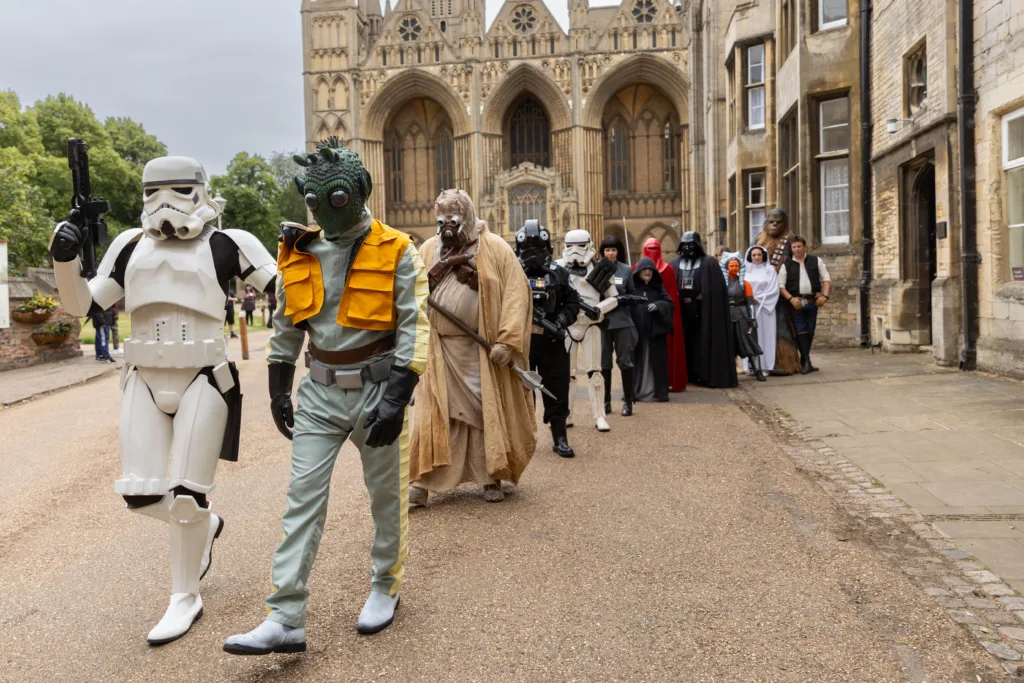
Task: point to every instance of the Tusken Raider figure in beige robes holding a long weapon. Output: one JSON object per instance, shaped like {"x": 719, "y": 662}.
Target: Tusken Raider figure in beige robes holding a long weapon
{"x": 475, "y": 420}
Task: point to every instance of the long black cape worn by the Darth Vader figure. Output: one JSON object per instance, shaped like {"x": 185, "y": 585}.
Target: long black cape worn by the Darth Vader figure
{"x": 711, "y": 355}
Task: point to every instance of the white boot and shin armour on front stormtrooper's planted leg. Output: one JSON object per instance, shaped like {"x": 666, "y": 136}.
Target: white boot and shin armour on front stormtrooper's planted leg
{"x": 191, "y": 528}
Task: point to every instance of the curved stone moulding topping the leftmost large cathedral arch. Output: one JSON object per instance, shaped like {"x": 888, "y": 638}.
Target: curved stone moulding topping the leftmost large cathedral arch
{"x": 410, "y": 84}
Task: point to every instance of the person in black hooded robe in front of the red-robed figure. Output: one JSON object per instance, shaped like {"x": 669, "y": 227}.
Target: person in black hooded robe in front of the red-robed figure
{"x": 654, "y": 323}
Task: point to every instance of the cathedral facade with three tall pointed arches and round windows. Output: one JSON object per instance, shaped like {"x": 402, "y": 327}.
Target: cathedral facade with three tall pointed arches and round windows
{"x": 588, "y": 130}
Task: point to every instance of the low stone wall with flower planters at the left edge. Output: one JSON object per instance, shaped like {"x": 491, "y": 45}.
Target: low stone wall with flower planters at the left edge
{"x": 17, "y": 348}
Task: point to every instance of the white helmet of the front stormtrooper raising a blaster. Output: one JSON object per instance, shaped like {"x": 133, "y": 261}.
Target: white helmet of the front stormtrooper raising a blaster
{"x": 177, "y": 200}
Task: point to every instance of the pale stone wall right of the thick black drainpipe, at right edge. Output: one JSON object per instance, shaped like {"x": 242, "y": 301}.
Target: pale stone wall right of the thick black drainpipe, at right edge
{"x": 1000, "y": 81}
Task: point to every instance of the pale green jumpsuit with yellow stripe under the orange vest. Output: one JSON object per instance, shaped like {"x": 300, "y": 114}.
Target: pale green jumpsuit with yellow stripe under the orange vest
{"x": 327, "y": 416}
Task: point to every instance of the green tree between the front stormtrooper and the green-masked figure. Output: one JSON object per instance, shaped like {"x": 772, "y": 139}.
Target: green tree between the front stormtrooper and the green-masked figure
{"x": 253, "y": 197}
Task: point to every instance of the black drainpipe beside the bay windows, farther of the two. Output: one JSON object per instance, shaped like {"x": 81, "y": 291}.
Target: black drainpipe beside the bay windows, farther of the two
{"x": 866, "y": 173}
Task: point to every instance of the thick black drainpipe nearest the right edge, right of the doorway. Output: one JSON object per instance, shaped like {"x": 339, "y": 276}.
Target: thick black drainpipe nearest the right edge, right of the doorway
{"x": 969, "y": 231}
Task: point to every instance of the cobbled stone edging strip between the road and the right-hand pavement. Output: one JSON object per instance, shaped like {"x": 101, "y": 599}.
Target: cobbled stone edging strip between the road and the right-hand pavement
{"x": 970, "y": 594}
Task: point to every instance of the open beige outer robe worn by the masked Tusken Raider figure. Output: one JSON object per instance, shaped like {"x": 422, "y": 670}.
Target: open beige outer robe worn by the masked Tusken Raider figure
{"x": 505, "y": 311}
